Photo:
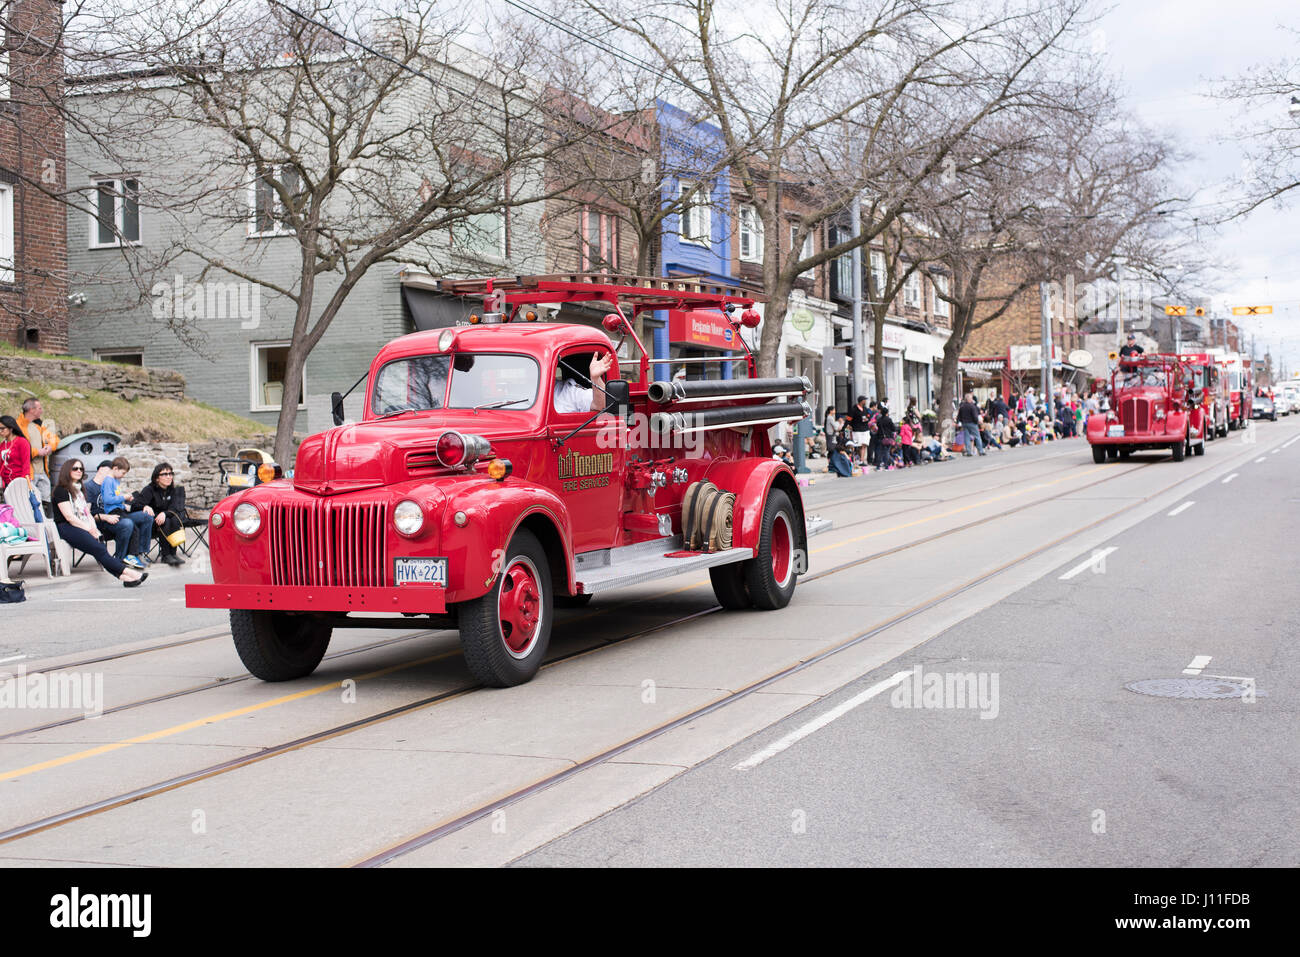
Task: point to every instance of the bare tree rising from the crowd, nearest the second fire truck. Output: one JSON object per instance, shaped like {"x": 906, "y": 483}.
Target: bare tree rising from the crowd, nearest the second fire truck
{"x": 1058, "y": 193}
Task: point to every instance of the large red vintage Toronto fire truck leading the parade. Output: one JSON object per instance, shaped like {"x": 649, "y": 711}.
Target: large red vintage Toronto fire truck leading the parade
{"x": 475, "y": 495}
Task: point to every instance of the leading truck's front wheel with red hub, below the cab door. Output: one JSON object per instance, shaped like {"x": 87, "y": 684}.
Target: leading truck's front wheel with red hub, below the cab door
{"x": 502, "y": 655}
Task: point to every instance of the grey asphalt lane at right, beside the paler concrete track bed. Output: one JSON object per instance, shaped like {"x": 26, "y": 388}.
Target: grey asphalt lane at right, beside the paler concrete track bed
{"x": 1071, "y": 768}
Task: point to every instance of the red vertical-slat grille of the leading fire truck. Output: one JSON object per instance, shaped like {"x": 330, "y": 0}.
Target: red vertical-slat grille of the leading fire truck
{"x": 328, "y": 543}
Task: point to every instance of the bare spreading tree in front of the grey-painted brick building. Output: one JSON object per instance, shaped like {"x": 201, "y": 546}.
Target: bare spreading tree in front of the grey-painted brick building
{"x": 318, "y": 142}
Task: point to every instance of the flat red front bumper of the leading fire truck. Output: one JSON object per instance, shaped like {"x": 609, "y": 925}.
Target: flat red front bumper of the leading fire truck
{"x": 414, "y": 599}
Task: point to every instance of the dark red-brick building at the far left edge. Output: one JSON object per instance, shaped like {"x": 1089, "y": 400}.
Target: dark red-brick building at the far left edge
{"x": 33, "y": 220}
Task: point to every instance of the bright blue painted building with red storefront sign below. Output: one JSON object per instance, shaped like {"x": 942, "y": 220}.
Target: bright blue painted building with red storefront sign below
{"x": 696, "y": 241}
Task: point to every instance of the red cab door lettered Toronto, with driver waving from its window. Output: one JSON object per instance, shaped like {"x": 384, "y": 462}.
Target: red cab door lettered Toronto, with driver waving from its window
{"x": 588, "y": 469}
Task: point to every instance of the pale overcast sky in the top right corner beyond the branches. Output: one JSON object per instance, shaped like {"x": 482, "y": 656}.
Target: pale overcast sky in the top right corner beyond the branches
{"x": 1169, "y": 55}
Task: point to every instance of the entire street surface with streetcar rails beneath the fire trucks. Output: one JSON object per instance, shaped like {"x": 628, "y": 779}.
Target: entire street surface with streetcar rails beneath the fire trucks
{"x": 388, "y": 754}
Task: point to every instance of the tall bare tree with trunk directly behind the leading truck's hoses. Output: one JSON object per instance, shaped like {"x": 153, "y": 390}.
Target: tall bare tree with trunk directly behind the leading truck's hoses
{"x": 786, "y": 81}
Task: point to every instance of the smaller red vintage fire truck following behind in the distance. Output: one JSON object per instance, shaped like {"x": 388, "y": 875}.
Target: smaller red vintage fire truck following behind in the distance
{"x": 1151, "y": 406}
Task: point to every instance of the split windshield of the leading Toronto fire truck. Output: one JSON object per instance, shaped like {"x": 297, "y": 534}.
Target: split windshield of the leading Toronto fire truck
{"x": 471, "y": 380}
